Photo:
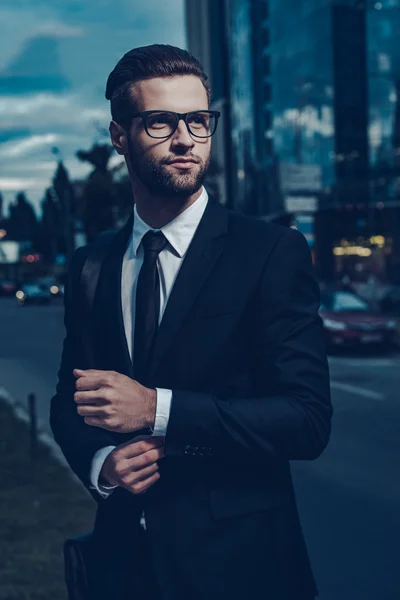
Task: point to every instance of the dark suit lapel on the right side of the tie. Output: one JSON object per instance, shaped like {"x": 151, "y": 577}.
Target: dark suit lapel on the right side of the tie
{"x": 204, "y": 250}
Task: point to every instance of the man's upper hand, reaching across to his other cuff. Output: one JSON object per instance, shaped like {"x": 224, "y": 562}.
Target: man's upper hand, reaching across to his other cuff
{"x": 113, "y": 401}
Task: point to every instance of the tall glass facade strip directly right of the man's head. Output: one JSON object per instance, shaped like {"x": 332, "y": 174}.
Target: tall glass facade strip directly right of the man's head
{"x": 230, "y": 38}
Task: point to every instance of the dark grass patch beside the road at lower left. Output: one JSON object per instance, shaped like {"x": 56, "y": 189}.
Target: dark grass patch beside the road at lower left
{"x": 40, "y": 506}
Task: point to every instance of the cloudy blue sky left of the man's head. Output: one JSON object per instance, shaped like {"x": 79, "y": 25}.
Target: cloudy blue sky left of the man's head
{"x": 55, "y": 56}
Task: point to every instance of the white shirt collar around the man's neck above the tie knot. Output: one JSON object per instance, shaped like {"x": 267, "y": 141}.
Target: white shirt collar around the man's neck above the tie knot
{"x": 179, "y": 232}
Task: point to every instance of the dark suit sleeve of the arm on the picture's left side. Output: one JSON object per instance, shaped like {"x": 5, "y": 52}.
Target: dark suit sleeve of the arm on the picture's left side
{"x": 79, "y": 442}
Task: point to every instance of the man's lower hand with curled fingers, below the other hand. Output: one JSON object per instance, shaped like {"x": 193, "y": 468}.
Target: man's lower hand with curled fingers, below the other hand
{"x": 133, "y": 465}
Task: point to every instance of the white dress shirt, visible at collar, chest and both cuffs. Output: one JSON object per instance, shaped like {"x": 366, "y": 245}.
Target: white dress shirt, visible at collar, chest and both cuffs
{"x": 179, "y": 232}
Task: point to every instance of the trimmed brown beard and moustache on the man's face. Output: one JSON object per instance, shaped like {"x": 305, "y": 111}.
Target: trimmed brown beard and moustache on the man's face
{"x": 161, "y": 180}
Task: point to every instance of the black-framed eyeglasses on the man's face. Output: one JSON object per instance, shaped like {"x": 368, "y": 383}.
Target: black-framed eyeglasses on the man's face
{"x": 162, "y": 124}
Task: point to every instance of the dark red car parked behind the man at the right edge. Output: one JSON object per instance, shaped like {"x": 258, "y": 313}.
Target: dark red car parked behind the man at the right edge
{"x": 349, "y": 320}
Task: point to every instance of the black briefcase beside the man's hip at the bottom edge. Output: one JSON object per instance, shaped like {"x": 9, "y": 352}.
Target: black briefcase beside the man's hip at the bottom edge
{"x": 78, "y": 557}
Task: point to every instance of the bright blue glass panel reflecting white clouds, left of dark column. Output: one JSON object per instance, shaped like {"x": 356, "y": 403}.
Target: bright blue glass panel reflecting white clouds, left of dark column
{"x": 302, "y": 84}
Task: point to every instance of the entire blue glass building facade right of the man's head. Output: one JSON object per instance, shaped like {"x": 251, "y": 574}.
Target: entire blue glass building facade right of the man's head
{"x": 313, "y": 94}
